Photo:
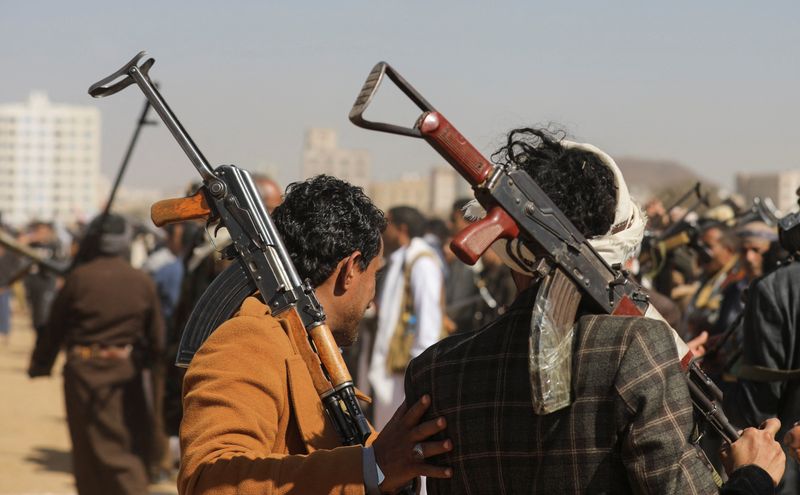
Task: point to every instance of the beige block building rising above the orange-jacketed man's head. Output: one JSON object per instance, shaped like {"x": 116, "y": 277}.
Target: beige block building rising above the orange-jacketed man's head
{"x": 322, "y": 155}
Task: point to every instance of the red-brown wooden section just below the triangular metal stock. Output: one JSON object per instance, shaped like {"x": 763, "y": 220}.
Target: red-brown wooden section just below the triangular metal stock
{"x": 445, "y": 139}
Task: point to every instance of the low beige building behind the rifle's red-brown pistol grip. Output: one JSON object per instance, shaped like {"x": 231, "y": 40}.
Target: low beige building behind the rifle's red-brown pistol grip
{"x": 432, "y": 194}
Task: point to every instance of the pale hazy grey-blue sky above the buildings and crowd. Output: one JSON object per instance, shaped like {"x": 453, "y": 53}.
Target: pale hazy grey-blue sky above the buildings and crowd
{"x": 713, "y": 85}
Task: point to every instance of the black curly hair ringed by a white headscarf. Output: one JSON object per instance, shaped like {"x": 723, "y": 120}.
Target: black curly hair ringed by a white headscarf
{"x": 576, "y": 180}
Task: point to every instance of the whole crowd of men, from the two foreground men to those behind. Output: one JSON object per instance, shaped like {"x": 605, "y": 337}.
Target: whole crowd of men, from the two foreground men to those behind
{"x": 443, "y": 349}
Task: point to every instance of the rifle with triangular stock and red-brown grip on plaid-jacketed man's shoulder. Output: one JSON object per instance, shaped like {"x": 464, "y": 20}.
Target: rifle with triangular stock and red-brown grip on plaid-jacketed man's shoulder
{"x": 518, "y": 208}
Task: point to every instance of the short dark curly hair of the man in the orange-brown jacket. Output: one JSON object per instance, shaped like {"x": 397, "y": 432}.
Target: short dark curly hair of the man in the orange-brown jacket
{"x": 323, "y": 220}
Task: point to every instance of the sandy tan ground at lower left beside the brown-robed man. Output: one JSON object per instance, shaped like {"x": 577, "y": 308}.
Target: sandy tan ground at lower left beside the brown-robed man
{"x": 34, "y": 441}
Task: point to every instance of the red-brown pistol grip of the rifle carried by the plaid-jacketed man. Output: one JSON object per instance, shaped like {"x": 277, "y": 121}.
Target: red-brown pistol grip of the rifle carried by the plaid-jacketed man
{"x": 473, "y": 241}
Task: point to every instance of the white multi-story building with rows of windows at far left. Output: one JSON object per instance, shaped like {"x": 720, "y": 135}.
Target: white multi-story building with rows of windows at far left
{"x": 49, "y": 161}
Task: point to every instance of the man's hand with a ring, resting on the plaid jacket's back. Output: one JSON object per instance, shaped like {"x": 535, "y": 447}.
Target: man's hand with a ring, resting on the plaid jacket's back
{"x": 396, "y": 444}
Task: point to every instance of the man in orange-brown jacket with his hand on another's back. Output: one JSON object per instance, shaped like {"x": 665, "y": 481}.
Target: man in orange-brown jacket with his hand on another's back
{"x": 253, "y": 423}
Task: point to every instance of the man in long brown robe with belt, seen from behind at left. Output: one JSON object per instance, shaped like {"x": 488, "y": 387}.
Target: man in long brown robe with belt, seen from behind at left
{"x": 108, "y": 318}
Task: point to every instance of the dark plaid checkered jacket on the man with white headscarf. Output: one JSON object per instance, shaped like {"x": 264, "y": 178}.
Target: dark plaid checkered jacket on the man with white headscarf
{"x": 626, "y": 431}
